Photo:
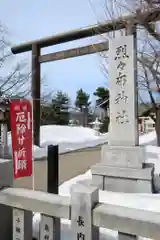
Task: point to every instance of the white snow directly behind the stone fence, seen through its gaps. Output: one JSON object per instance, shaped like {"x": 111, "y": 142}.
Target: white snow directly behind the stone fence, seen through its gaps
{"x": 142, "y": 201}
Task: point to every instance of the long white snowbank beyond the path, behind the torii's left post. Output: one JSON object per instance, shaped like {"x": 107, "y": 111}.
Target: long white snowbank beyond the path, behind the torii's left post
{"x": 67, "y": 137}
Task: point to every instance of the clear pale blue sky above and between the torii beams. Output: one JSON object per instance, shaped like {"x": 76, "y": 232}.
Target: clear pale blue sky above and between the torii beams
{"x": 33, "y": 19}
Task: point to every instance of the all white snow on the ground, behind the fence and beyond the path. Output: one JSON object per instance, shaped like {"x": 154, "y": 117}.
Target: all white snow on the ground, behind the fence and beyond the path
{"x": 87, "y": 138}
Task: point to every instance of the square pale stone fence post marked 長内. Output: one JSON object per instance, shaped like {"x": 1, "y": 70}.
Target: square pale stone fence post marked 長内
{"x": 83, "y": 199}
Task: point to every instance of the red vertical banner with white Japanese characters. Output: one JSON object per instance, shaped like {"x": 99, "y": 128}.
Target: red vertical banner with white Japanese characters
{"x": 21, "y": 132}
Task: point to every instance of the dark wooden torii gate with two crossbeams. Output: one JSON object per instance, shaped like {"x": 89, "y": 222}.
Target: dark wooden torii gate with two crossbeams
{"x": 141, "y": 17}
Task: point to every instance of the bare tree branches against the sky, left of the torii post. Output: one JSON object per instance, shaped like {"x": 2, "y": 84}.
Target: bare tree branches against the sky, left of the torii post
{"x": 15, "y": 76}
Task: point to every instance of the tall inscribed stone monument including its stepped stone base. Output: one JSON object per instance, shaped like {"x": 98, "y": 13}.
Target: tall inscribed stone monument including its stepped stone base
{"x": 122, "y": 167}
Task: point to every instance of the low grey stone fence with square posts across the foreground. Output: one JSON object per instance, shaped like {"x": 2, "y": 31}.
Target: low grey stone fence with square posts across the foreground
{"x": 84, "y": 210}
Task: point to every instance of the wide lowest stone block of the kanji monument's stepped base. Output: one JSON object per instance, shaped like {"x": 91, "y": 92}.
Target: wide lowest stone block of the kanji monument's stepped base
{"x": 127, "y": 180}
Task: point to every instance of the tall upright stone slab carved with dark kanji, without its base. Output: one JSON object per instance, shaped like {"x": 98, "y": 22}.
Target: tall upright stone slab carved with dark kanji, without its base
{"x": 122, "y": 83}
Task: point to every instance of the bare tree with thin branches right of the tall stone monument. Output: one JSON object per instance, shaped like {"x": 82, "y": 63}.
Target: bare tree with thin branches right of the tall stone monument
{"x": 148, "y": 51}
